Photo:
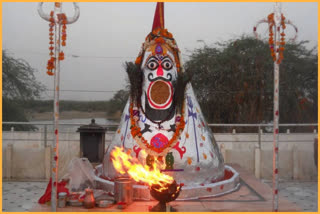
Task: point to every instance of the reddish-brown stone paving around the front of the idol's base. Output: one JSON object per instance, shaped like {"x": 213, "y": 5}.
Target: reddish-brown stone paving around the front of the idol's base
{"x": 253, "y": 195}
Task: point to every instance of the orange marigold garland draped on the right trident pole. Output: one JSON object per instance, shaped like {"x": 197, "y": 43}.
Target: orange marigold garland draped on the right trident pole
{"x": 271, "y": 36}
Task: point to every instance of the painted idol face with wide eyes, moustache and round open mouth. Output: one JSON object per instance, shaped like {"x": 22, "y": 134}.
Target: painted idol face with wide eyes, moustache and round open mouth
{"x": 159, "y": 73}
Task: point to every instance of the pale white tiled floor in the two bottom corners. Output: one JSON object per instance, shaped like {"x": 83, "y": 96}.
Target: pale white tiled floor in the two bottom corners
{"x": 22, "y": 196}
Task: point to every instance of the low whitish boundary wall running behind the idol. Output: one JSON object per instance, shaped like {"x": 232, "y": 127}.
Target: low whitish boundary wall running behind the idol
{"x": 25, "y": 155}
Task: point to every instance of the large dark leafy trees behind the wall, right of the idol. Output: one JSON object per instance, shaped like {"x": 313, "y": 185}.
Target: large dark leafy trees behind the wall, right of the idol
{"x": 233, "y": 82}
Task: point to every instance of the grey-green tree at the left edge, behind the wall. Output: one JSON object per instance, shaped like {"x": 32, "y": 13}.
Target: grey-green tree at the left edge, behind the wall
{"x": 18, "y": 85}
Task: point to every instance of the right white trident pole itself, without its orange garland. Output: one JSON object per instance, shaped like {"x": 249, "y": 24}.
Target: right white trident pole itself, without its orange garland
{"x": 276, "y": 97}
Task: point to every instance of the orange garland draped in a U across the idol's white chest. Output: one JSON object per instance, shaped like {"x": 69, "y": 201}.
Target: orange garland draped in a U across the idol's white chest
{"x": 143, "y": 143}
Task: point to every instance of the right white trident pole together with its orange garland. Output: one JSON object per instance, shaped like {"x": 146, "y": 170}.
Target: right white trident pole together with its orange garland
{"x": 276, "y": 22}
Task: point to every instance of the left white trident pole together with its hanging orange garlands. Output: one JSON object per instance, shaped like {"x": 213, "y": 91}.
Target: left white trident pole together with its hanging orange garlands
{"x": 57, "y": 35}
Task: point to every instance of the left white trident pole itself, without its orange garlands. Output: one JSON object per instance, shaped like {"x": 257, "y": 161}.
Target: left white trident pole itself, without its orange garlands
{"x": 57, "y": 26}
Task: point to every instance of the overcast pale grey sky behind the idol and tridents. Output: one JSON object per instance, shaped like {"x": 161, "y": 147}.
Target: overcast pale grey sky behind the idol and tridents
{"x": 108, "y": 34}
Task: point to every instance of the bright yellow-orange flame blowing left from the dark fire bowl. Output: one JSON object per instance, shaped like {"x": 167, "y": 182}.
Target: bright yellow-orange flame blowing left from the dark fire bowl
{"x": 125, "y": 163}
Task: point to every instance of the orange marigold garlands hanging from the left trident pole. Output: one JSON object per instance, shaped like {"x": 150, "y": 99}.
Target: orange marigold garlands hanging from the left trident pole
{"x": 51, "y": 62}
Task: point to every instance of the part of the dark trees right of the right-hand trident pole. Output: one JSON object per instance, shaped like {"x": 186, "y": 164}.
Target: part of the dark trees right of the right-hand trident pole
{"x": 299, "y": 85}
